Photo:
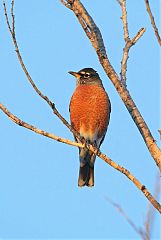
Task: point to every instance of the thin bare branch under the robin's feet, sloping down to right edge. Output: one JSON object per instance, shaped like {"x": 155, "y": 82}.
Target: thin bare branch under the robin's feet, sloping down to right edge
{"x": 91, "y": 148}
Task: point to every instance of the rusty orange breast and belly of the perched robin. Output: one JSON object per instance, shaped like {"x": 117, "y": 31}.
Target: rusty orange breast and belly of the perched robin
{"x": 90, "y": 110}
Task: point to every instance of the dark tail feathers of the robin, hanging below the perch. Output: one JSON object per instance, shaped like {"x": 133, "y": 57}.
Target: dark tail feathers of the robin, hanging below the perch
{"x": 86, "y": 176}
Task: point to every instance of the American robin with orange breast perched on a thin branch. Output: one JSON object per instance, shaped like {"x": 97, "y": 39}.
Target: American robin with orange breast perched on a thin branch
{"x": 89, "y": 113}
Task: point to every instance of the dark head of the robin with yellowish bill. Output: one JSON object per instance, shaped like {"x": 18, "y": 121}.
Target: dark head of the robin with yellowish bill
{"x": 87, "y": 76}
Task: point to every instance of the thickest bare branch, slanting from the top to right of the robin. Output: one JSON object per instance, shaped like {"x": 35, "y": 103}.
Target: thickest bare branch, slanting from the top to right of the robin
{"x": 98, "y": 44}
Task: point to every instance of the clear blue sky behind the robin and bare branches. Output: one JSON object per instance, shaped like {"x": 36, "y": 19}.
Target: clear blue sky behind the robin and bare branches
{"x": 39, "y": 197}
